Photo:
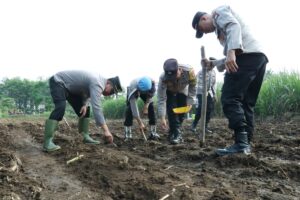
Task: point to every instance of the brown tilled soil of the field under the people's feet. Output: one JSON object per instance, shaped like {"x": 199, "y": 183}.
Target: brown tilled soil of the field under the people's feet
{"x": 148, "y": 170}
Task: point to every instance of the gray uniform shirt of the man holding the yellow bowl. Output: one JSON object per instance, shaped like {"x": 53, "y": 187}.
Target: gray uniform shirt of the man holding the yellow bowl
{"x": 185, "y": 85}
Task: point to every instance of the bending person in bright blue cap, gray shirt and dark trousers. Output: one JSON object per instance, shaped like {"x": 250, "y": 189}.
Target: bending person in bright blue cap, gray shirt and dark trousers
{"x": 143, "y": 87}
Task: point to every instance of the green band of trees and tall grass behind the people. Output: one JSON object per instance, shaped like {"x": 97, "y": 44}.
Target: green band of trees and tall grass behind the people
{"x": 280, "y": 94}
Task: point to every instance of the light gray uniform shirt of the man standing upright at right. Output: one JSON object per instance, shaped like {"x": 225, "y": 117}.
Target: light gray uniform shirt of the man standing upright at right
{"x": 232, "y": 33}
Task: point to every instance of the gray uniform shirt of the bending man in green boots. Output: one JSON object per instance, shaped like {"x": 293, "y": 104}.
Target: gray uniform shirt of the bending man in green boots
{"x": 88, "y": 85}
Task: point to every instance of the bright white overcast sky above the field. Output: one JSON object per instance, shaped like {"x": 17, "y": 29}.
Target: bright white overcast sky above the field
{"x": 131, "y": 38}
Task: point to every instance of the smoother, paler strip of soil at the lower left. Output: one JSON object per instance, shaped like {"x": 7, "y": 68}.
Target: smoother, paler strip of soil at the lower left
{"x": 55, "y": 181}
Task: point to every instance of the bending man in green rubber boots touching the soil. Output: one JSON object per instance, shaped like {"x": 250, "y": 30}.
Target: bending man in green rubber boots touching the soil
{"x": 78, "y": 88}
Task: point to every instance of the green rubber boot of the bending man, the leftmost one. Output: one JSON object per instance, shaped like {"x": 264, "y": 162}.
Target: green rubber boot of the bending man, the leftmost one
{"x": 50, "y": 128}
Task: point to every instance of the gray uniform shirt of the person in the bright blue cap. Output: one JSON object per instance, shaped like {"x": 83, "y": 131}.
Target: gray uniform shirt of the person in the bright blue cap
{"x": 131, "y": 91}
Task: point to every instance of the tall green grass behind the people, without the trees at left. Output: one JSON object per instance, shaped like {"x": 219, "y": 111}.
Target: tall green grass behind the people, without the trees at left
{"x": 280, "y": 94}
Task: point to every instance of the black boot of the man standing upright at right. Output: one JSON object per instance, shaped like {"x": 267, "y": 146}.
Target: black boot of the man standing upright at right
{"x": 241, "y": 145}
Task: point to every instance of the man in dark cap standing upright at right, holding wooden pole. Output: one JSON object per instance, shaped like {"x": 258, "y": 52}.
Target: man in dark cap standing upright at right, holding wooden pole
{"x": 245, "y": 65}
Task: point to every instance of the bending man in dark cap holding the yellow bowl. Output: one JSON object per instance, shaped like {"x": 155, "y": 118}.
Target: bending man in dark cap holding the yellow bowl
{"x": 176, "y": 88}
